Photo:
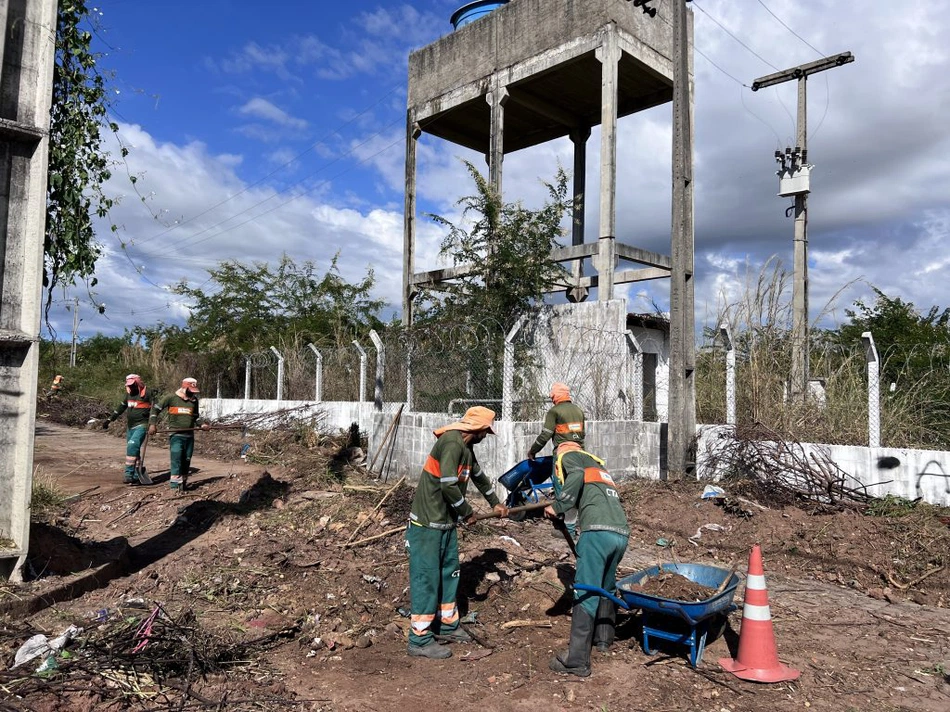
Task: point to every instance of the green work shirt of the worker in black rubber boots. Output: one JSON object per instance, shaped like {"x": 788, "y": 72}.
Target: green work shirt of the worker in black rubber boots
{"x": 590, "y": 488}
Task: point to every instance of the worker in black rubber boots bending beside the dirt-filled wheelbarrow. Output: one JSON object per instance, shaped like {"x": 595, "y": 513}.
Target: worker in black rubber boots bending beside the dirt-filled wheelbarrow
{"x": 604, "y": 533}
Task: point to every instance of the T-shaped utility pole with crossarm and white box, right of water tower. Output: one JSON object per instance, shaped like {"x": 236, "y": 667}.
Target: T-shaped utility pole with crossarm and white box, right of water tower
{"x": 794, "y": 181}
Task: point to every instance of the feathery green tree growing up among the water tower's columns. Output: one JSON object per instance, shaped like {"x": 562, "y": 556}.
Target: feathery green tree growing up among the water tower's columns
{"x": 509, "y": 248}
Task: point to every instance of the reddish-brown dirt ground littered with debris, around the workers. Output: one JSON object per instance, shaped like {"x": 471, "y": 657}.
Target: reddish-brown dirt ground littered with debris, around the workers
{"x": 264, "y": 608}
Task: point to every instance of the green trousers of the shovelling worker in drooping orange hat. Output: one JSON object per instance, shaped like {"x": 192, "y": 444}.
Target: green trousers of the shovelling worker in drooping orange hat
{"x": 433, "y": 581}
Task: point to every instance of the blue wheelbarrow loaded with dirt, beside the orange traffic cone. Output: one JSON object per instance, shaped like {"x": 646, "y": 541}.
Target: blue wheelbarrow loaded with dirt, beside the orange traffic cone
{"x": 682, "y": 622}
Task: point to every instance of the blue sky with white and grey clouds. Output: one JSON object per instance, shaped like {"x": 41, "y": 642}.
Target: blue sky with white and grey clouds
{"x": 255, "y": 129}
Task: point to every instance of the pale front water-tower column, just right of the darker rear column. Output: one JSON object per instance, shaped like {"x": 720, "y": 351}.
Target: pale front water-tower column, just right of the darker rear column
{"x": 609, "y": 55}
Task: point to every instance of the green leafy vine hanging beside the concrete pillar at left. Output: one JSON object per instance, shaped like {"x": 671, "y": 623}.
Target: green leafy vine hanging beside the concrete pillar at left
{"x": 78, "y": 167}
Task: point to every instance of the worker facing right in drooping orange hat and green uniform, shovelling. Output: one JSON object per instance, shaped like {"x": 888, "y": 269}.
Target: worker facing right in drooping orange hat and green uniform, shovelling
{"x": 431, "y": 539}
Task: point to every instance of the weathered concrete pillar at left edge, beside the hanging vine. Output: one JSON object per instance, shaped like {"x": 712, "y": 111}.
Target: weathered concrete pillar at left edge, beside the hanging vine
{"x": 26, "y": 45}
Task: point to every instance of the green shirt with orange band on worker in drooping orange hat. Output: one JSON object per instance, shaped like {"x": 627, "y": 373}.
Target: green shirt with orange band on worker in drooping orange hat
{"x": 439, "y": 501}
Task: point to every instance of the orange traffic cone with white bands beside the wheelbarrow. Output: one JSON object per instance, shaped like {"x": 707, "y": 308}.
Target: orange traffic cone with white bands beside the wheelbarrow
{"x": 757, "y": 659}
